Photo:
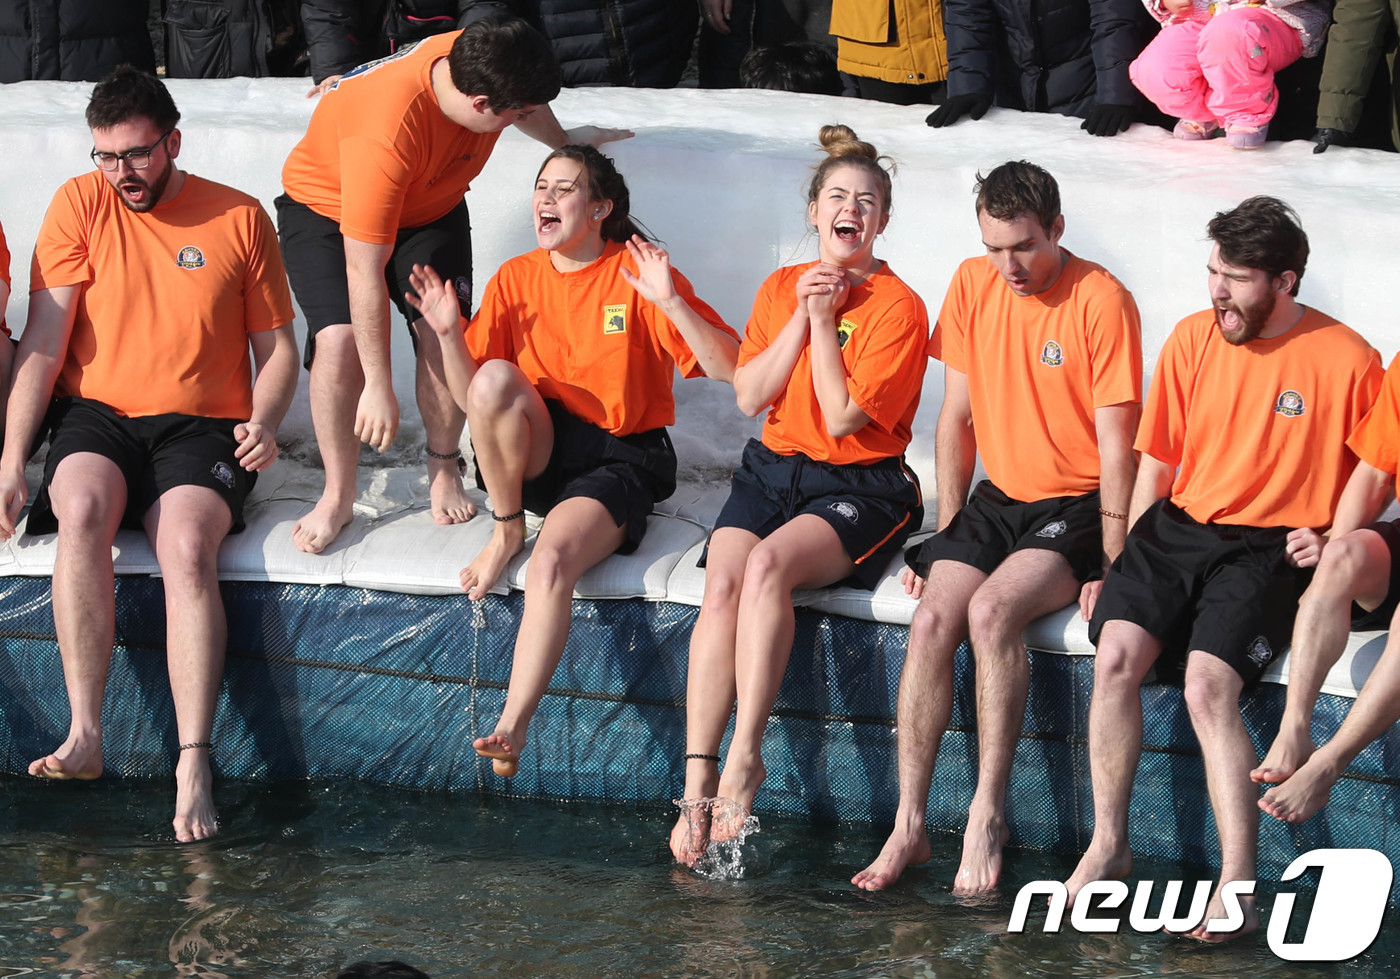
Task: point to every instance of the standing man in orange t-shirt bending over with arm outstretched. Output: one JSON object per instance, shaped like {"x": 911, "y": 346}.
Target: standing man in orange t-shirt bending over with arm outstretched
{"x": 376, "y": 187}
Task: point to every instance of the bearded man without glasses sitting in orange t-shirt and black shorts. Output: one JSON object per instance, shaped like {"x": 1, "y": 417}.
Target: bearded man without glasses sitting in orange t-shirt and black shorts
{"x": 1244, "y": 460}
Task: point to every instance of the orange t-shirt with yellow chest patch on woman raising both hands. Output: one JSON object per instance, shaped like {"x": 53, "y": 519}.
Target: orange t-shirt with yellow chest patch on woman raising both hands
{"x": 589, "y": 340}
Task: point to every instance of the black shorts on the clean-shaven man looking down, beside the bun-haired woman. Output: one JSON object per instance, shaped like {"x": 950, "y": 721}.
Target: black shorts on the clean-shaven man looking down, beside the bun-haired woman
{"x": 993, "y": 526}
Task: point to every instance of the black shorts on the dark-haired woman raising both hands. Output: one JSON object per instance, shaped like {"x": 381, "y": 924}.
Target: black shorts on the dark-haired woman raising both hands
{"x": 629, "y": 475}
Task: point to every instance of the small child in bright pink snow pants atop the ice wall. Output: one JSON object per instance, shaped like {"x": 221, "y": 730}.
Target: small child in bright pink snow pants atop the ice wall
{"x": 1213, "y": 65}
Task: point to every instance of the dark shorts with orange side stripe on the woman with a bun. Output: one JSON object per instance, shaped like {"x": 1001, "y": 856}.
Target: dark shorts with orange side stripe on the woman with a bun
{"x": 871, "y": 508}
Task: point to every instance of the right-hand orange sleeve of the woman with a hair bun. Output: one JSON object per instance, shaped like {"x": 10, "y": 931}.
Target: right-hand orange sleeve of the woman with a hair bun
{"x": 887, "y": 370}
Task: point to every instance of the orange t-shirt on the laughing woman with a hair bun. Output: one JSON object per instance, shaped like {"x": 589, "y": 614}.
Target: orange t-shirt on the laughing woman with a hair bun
{"x": 887, "y": 328}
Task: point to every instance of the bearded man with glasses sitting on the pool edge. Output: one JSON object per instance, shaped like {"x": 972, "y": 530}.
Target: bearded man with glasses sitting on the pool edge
{"x": 148, "y": 289}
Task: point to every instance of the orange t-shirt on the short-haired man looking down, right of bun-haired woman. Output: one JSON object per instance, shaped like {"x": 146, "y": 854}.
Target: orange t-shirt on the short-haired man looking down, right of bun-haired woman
{"x": 1038, "y": 368}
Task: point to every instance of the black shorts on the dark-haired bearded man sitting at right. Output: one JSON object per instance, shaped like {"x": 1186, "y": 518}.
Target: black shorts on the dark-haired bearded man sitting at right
{"x": 1224, "y": 590}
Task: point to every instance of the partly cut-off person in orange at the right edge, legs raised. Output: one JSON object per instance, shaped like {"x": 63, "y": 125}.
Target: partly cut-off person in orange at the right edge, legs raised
{"x": 1360, "y": 564}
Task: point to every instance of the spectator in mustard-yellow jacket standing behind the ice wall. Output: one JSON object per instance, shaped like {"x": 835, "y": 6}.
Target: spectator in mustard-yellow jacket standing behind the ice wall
{"x": 895, "y": 51}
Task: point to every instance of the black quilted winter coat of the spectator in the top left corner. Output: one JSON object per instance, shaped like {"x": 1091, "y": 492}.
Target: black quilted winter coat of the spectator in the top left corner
{"x": 72, "y": 40}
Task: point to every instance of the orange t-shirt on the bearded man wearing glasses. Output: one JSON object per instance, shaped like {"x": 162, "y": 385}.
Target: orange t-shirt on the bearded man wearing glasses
{"x": 169, "y": 298}
